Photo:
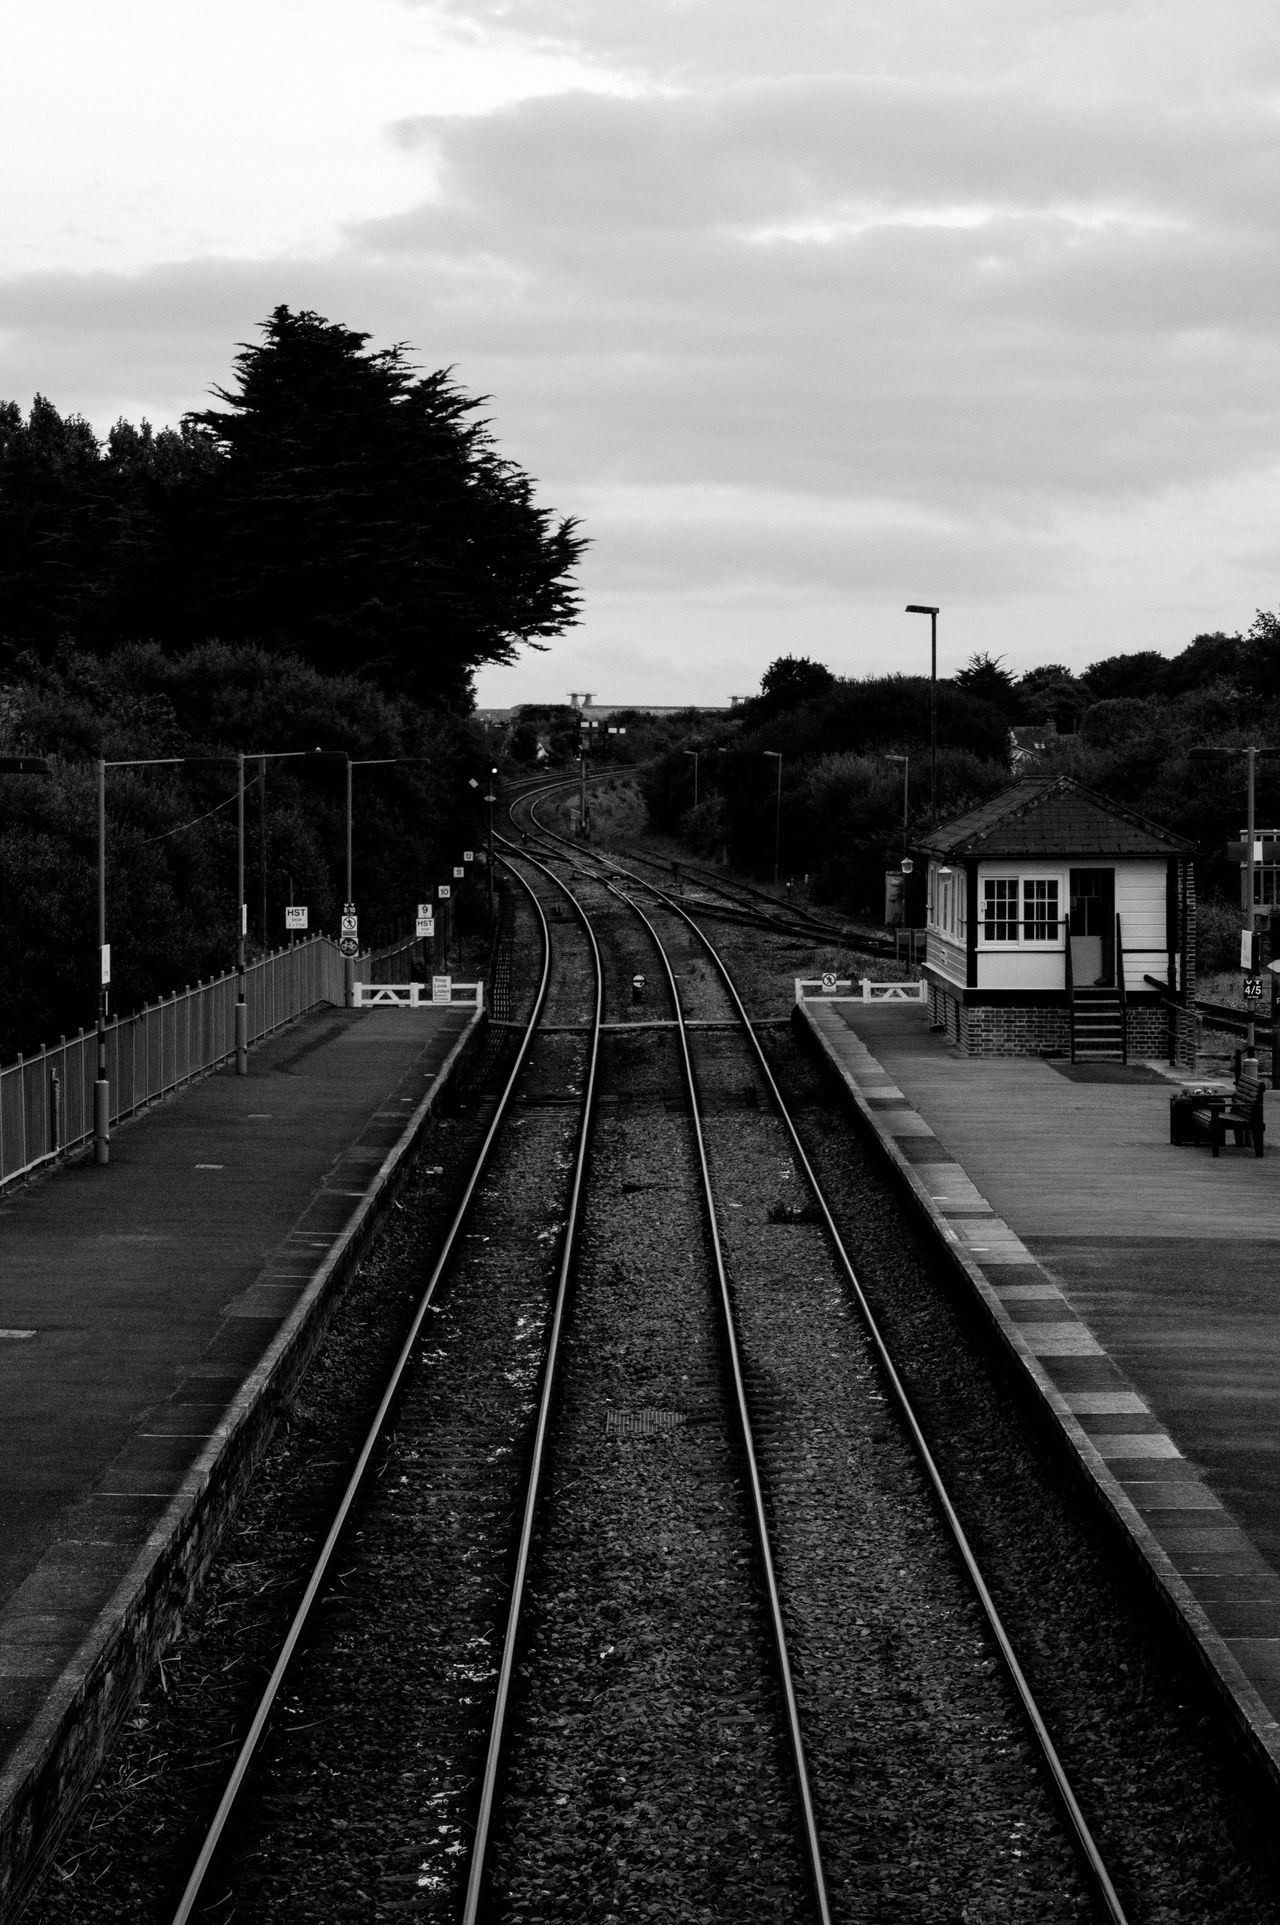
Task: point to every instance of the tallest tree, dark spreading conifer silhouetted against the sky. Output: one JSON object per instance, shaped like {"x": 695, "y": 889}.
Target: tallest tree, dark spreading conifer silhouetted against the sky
{"x": 363, "y": 517}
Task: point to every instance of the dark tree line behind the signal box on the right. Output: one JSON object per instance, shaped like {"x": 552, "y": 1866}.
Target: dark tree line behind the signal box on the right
{"x": 1131, "y": 727}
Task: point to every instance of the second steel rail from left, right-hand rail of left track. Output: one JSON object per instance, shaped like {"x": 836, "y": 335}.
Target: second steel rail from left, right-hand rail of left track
{"x": 569, "y": 1248}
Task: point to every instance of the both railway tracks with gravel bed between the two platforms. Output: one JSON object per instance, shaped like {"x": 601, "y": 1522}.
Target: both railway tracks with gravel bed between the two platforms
{"x": 640, "y": 1604}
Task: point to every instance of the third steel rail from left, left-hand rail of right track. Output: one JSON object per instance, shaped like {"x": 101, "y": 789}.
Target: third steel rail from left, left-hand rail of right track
{"x": 813, "y": 1849}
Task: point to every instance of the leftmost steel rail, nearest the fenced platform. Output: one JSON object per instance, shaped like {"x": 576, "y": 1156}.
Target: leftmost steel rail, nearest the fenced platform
{"x": 217, "y": 1830}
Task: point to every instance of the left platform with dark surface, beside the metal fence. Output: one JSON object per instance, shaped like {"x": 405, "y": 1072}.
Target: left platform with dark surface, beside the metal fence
{"x": 153, "y": 1316}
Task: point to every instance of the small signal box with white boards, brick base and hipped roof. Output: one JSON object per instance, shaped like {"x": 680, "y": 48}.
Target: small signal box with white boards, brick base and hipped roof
{"x": 1050, "y": 911}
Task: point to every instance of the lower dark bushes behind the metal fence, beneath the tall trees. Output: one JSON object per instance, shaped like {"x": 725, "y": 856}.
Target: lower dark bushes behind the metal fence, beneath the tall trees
{"x": 172, "y": 831}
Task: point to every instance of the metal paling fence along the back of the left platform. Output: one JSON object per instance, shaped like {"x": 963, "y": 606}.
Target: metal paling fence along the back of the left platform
{"x": 47, "y": 1100}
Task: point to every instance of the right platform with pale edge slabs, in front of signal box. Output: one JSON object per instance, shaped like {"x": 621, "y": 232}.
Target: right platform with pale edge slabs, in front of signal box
{"x": 1137, "y": 1285}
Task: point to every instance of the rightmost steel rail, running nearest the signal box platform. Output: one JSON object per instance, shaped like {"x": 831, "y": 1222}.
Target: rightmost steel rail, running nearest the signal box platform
{"x": 1058, "y": 1772}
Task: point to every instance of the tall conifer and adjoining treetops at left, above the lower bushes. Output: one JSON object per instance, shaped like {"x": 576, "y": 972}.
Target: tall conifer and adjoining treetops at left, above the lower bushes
{"x": 338, "y": 507}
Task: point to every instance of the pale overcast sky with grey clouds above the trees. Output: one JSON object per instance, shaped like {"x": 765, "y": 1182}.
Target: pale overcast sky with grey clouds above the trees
{"x": 807, "y": 311}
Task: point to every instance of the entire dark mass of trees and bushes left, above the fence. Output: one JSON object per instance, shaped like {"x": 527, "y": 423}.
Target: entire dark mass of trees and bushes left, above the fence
{"x": 320, "y": 561}
